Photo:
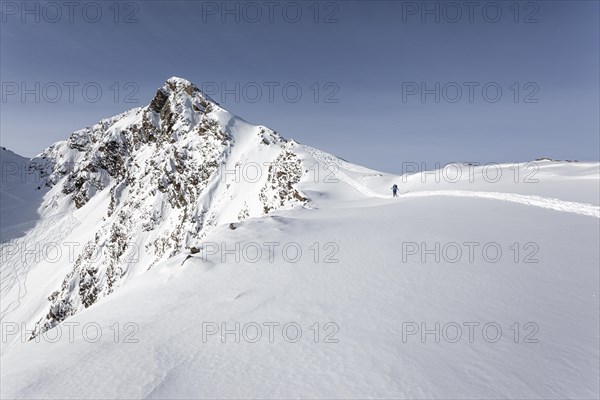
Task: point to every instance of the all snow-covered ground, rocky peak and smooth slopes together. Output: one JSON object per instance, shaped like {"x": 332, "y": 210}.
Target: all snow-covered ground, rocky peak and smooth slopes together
{"x": 307, "y": 280}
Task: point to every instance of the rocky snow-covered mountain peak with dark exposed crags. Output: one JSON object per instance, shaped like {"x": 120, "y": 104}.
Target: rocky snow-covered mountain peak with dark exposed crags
{"x": 154, "y": 181}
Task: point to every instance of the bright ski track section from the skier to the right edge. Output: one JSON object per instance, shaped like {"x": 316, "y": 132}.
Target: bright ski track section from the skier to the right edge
{"x": 529, "y": 200}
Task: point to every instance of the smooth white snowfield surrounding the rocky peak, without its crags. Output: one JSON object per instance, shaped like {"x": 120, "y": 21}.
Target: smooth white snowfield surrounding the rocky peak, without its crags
{"x": 468, "y": 286}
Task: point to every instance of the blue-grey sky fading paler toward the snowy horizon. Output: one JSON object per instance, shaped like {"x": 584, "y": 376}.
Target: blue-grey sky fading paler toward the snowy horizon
{"x": 364, "y": 54}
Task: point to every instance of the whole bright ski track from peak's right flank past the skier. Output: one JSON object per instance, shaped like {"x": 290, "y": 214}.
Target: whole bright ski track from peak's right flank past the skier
{"x": 327, "y": 160}
